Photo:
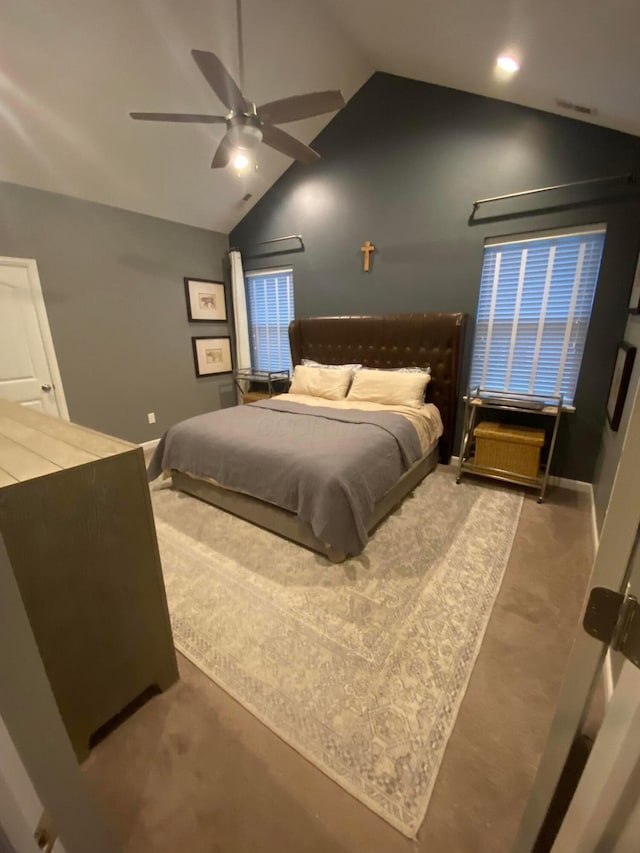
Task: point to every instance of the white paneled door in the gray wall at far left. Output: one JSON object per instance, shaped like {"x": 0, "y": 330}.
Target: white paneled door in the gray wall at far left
{"x": 29, "y": 372}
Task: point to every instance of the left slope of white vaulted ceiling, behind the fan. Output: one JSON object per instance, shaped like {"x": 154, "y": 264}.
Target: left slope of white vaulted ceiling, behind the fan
{"x": 71, "y": 70}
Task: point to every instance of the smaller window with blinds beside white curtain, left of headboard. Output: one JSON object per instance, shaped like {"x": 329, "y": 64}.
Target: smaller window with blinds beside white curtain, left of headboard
{"x": 270, "y": 310}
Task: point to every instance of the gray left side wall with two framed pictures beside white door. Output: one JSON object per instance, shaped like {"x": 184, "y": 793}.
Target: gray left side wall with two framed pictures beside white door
{"x": 113, "y": 287}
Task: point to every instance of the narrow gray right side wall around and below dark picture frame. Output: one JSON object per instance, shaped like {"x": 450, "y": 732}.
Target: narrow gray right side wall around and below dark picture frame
{"x": 612, "y": 442}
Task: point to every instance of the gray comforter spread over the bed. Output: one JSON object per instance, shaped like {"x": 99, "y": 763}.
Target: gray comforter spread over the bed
{"x": 328, "y": 466}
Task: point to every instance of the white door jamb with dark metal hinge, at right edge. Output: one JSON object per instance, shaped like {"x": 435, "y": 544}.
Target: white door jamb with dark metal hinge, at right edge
{"x": 615, "y": 549}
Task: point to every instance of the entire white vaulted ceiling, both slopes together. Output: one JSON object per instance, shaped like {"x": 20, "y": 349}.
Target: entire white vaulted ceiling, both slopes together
{"x": 71, "y": 70}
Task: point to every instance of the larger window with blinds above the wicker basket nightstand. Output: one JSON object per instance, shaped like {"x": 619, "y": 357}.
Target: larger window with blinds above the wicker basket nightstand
{"x": 536, "y": 294}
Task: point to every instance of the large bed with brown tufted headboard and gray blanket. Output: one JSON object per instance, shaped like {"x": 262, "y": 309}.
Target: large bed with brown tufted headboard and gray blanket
{"x": 297, "y": 465}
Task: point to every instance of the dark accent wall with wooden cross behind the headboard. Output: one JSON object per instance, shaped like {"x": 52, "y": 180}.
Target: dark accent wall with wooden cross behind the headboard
{"x": 401, "y": 166}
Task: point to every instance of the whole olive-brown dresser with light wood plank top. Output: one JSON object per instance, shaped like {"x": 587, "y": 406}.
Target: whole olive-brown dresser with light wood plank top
{"x": 75, "y": 513}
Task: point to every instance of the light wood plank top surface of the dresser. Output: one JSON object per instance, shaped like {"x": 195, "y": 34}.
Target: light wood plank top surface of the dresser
{"x": 33, "y": 444}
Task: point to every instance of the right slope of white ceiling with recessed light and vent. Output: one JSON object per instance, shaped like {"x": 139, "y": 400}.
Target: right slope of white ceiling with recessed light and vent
{"x": 584, "y": 51}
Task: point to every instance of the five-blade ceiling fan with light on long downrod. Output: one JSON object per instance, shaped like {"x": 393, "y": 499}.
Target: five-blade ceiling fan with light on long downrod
{"x": 247, "y": 124}
